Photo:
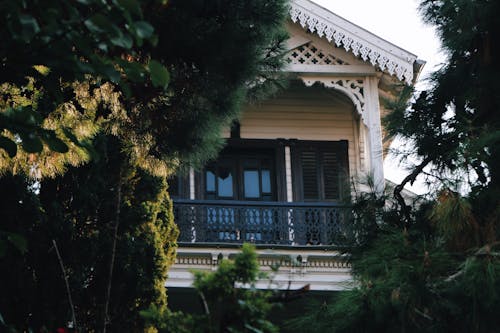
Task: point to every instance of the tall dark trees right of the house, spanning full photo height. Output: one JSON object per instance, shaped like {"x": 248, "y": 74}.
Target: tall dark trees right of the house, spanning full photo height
{"x": 435, "y": 267}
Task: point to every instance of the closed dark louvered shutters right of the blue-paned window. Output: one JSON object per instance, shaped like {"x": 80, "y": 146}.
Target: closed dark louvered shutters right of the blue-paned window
{"x": 319, "y": 170}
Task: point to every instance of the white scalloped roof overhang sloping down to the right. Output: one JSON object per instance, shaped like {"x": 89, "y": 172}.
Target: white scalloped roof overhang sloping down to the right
{"x": 360, "y": 42}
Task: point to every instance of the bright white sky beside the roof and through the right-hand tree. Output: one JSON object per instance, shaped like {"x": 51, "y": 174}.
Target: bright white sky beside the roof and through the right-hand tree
{"x": 398, "y": 22}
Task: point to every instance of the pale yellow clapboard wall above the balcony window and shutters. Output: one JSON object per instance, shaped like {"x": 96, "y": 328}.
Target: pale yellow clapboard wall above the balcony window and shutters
{"x": 305, "y": 113}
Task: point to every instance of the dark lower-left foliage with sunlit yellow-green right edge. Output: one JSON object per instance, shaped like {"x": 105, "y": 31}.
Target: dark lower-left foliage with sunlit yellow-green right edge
{"x": 78, "y": 210}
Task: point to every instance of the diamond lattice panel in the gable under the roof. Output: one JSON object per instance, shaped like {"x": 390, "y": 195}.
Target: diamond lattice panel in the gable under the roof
{"x": 309, "y": 54}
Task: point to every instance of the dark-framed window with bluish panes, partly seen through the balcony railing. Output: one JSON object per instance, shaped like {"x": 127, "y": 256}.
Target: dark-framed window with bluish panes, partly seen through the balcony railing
{"x": 246, "y": 172}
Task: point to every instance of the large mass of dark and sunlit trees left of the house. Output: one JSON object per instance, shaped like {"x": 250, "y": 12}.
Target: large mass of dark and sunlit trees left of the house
{"x": 133, "y": 120}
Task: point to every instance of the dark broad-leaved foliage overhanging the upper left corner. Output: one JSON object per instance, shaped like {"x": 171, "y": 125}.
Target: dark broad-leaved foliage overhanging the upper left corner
{"x": 46, "y": 42}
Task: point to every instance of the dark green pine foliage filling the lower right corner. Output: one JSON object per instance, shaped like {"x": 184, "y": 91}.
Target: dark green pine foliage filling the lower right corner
{"x": 413, "y": 280}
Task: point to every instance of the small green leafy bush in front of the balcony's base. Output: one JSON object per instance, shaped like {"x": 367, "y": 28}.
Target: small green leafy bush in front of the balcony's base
{"x": 232, "y": 304}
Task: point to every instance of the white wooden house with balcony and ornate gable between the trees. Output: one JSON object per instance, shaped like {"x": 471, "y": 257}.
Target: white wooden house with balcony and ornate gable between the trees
{"x": 283, "y": 178}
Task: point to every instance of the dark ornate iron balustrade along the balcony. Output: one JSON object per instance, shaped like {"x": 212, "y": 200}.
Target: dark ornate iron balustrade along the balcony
{"x": 286, "y": 223}
